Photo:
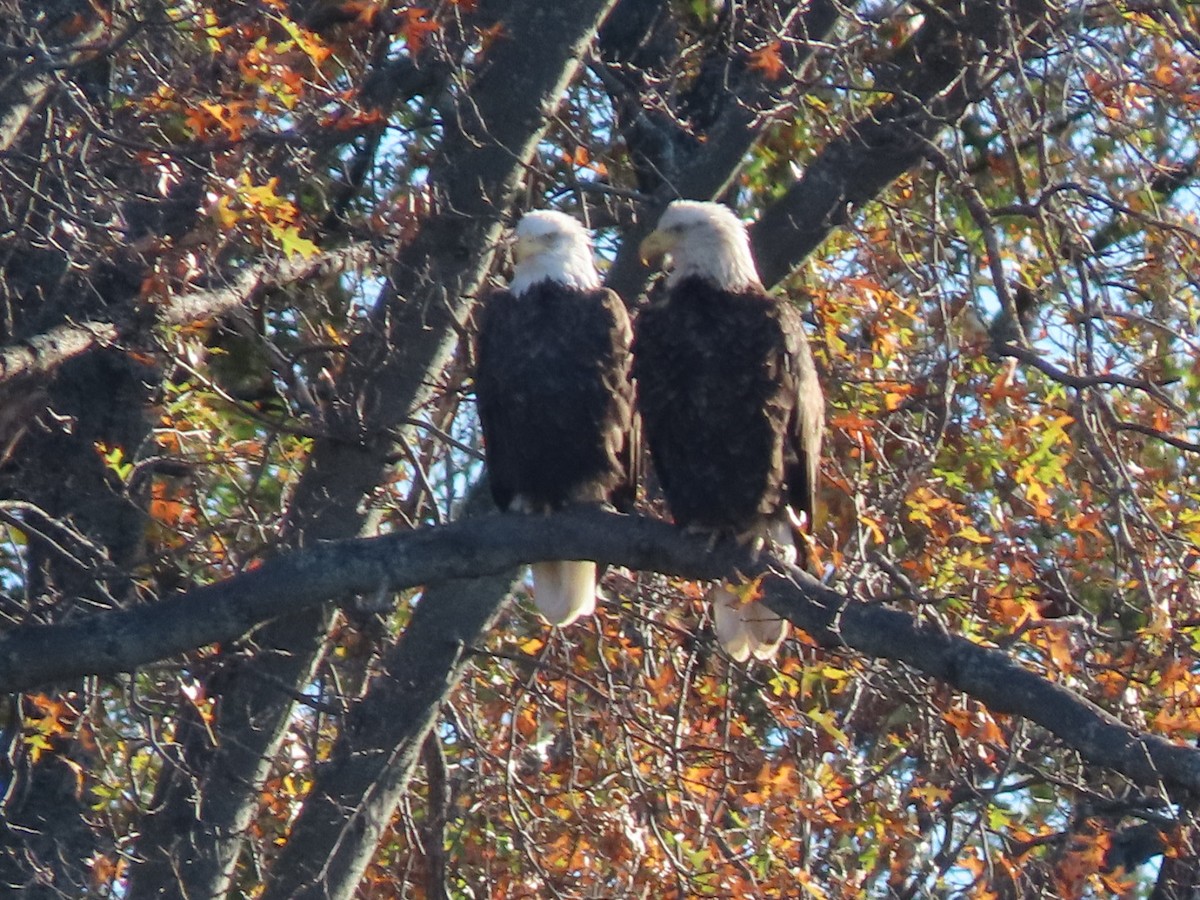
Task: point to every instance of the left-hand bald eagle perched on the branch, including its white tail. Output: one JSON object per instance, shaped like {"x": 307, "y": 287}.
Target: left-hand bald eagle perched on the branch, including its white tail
{"x": 555, "y": 397}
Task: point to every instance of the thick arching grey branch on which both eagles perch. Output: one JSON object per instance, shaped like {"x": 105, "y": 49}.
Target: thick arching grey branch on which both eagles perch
{"x": 491, "y": 547}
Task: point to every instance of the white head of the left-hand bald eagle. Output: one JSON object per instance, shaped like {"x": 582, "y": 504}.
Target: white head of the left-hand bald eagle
{"x": 553, "y": 247}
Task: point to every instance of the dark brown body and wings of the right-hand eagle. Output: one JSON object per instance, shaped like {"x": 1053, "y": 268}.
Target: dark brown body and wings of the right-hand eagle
{"x": 731, "y": 407}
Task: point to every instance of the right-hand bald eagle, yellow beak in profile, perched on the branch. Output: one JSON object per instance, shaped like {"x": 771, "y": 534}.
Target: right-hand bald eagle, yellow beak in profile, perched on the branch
{"x": 730, "y": 404}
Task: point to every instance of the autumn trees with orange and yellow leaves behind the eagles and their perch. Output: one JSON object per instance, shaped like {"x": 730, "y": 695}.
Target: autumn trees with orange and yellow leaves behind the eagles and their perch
{"x": 239, "y": 251}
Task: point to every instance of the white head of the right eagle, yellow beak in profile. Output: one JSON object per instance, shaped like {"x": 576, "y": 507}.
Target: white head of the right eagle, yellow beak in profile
{"x": 706, "y": 241}
